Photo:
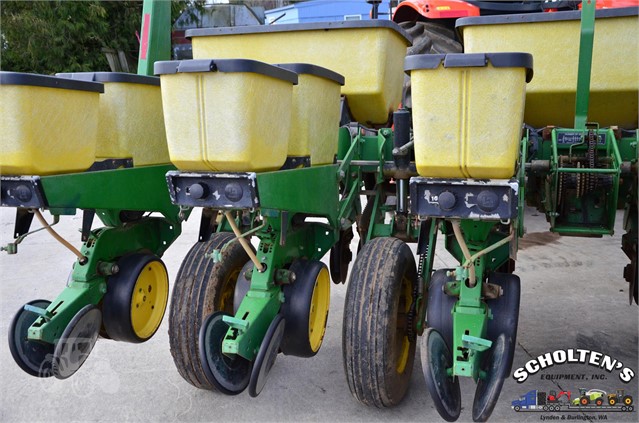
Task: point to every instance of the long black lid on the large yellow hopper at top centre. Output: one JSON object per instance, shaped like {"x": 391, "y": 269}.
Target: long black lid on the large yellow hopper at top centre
{"x": 314, "y": 26}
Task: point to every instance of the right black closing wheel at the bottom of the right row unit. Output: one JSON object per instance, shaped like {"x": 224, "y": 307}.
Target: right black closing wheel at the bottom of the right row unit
{"x": 495, "y": 365}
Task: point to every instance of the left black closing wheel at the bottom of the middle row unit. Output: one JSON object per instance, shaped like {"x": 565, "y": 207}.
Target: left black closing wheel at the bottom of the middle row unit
{"x": 229, "y": 375}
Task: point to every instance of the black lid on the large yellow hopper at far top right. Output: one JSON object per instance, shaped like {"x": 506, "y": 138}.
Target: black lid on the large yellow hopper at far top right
{"x": 570, "y": 15}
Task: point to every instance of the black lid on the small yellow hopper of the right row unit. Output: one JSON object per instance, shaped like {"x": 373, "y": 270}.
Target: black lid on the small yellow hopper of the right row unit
{"x": 457, "y": 60}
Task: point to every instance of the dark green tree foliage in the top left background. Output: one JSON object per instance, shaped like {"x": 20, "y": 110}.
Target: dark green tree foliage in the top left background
{"x": 67, "y": 36}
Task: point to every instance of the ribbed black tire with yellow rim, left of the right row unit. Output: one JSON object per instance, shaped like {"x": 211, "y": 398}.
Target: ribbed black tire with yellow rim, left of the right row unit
{"x": 377, "y": 349}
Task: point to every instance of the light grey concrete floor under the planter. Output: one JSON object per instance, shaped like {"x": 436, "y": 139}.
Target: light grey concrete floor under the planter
{"x": 573, "y": 296}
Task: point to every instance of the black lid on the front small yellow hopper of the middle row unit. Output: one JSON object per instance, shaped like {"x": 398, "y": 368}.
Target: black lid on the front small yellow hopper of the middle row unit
{"x": 223, "y": 65}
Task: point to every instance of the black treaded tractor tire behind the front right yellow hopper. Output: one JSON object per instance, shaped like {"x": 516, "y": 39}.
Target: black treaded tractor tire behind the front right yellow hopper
{"x": 428, "y": 37}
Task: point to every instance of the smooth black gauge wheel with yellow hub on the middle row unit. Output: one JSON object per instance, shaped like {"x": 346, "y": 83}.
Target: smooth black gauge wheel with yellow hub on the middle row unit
{"x": 305, "y": 308}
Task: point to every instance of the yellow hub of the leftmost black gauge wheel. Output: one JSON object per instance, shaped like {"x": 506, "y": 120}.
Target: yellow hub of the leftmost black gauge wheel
{"x": 149, "y": 299}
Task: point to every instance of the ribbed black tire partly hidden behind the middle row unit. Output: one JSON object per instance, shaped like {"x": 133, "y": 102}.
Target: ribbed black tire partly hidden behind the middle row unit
{"x": 201, "y": 288}
